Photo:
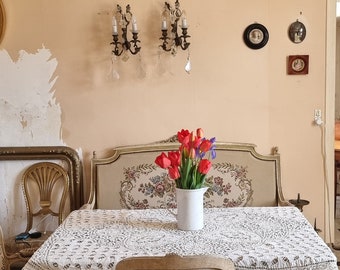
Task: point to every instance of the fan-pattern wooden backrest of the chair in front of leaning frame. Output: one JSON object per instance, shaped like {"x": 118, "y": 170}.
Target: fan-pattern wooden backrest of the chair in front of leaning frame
{"x": 46, "y": 188}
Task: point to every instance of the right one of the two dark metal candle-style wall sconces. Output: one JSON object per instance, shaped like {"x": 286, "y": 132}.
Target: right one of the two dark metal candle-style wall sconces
{"x": 174, "y": 40}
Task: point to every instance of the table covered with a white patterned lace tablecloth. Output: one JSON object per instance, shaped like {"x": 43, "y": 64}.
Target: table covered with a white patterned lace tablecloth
{"x": 252, "y": 237}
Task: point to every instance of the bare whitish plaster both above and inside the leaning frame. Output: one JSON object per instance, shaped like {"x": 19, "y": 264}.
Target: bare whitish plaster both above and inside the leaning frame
{"x": 29, "y": 116}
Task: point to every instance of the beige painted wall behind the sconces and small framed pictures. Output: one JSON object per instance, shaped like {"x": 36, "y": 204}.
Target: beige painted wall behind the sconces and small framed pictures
{"x": 232, "y": 92}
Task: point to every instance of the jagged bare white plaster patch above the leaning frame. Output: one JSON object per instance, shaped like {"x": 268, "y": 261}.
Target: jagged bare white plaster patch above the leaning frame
{"x": 28, "y": 108}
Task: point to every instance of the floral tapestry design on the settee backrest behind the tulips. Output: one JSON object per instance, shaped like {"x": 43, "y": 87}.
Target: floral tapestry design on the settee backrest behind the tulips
{"x": 148, "y": 186}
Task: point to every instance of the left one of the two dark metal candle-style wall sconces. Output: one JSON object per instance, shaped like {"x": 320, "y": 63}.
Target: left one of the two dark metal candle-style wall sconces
{"x": 123, "y": 20}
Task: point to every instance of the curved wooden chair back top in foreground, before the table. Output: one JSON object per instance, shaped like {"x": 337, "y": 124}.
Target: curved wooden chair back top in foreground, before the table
{"x": 175, "y": 262}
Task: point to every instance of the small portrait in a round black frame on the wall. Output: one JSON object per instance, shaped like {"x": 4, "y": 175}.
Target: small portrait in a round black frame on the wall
{"x": 256, "y": 36}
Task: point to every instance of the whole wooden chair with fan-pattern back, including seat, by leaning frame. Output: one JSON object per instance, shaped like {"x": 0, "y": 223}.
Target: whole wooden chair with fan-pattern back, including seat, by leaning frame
{"x": 46, "y": 188}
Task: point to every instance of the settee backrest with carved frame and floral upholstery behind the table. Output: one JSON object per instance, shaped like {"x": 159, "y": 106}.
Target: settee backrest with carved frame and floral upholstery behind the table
{"x": 240, "y": 176}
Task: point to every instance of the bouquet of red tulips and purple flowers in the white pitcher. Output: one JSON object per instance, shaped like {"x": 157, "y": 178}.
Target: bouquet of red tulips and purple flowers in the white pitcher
{"x": 189, "y": 165}
